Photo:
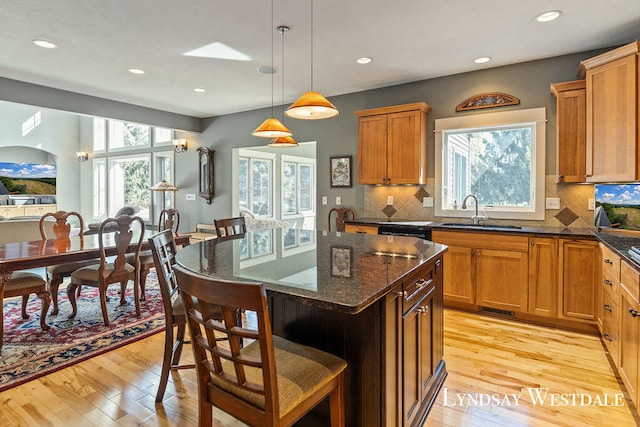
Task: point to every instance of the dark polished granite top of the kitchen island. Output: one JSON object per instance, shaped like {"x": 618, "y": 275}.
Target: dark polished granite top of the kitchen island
{"x": 344, "y": 272}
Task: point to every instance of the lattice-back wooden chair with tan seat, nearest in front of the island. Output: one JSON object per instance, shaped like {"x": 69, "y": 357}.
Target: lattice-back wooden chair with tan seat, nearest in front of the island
{"x": 269, "y": 382}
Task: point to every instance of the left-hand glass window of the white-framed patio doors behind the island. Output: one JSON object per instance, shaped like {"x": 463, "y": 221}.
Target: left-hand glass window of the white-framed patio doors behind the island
{"x": 255, "y": 183}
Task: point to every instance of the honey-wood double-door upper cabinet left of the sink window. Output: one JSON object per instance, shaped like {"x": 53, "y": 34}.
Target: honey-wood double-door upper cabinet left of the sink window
{"x": 392, "y": 144}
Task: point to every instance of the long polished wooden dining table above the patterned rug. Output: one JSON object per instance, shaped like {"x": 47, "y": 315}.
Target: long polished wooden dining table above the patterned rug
{"x": 17, "y": 256}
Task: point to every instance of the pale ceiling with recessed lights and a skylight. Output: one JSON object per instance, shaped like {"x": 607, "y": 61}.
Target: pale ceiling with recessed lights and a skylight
{"x": 409, "y": 40}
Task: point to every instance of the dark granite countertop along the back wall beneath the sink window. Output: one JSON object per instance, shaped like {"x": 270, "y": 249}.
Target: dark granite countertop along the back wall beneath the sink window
{"x": 489, "y": 227}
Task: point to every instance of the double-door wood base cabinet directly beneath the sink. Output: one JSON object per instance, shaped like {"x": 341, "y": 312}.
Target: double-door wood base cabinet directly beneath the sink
{"x": 489, "y": 270}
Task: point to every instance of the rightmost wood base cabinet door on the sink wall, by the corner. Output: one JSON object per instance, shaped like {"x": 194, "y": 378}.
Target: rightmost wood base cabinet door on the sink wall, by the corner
{"x": 577, "y": 279}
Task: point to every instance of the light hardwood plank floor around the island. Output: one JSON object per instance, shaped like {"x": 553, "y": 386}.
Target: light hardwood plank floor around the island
{"x": 484, "y": 356}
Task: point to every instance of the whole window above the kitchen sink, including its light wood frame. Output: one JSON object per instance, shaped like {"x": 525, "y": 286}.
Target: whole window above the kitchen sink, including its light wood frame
{"x": 498, "y": 157}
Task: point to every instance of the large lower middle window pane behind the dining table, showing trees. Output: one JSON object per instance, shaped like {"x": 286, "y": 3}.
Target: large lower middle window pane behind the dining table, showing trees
{"x": 129, "y": 182}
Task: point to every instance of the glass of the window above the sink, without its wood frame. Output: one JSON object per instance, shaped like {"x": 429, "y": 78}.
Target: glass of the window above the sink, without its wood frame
{"x": 494, "y": 164}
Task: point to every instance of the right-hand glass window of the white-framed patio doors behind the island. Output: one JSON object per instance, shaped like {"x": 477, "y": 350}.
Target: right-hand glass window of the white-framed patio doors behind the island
{"x": 297, "y": 186}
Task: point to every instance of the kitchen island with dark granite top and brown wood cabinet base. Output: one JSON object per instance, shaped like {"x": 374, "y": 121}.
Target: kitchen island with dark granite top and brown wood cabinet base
{"x": 375, "y": 301}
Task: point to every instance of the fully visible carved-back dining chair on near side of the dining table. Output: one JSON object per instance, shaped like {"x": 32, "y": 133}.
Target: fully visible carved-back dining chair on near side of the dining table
{"x": 118, "y": 270}
